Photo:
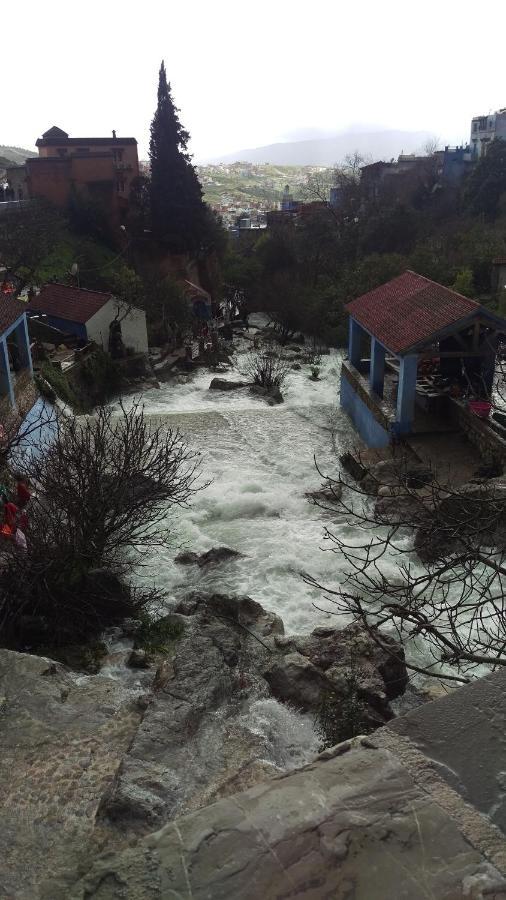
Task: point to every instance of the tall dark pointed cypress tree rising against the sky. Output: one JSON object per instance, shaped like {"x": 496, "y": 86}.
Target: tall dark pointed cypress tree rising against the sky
{"x": 178, "y": 213}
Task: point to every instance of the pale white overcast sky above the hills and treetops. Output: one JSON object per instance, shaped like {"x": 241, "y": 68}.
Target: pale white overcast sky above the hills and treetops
{"x": 247, "y": 74}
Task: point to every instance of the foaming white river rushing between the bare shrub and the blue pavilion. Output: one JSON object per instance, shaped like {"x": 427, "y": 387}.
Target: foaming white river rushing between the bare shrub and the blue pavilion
{"x": 260, "y": 462}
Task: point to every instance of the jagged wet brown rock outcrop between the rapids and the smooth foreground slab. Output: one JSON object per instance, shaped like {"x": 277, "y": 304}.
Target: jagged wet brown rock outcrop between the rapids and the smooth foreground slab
{"x": 233, "y": 654}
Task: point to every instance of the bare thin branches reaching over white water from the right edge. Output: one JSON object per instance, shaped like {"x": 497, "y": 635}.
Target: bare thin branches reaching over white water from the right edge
{"x": 447, "y": 550}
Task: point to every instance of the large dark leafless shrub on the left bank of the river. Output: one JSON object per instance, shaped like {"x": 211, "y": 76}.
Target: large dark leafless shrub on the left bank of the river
{"x": 105, "y": 485}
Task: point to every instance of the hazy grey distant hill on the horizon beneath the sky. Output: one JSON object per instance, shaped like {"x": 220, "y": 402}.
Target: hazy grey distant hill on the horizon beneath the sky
{"x": 327, "y": 151}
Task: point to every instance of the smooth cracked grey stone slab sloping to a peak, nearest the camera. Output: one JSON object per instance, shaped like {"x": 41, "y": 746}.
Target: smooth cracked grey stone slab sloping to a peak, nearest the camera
{"x": 355, "y": 825}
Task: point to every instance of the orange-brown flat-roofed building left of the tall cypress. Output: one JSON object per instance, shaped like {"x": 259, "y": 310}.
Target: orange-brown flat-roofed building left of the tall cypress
{"x": 97, "y": 168}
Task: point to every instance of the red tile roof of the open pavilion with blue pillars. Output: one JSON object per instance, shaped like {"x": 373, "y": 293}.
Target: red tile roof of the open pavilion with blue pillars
{"x": 409, "y": 309}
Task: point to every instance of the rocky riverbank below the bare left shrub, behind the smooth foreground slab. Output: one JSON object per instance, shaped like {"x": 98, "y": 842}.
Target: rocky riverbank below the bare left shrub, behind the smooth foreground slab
{"x": 89, "y": 762}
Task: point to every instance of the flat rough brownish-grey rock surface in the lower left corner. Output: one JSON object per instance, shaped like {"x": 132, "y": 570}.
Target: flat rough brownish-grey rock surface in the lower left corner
{"x": 62, "y": 739}
